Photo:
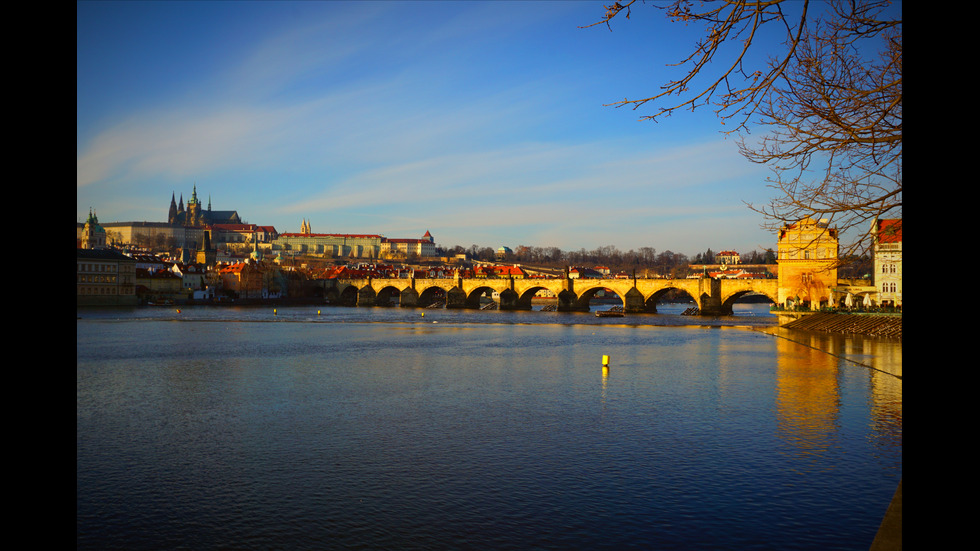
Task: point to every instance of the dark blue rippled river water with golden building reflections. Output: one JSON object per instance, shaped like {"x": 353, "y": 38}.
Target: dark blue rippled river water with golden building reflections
{"x": 388, "y": 428}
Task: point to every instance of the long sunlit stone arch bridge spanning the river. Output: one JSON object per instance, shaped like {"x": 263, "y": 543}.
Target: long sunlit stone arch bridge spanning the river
{"x": 712, "y": 296}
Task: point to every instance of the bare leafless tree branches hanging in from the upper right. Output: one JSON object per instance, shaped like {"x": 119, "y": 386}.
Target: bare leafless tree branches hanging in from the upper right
{"x": 829, "y": 102}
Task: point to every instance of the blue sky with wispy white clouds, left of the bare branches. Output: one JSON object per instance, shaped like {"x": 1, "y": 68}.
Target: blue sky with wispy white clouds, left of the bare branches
{"x": 482, "y": 122}
